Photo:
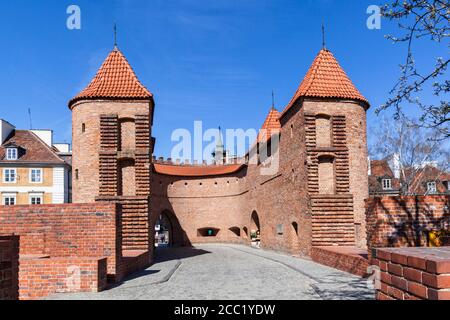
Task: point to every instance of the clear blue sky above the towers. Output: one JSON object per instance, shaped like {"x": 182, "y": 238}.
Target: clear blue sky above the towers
{"x": 215, "y": 61}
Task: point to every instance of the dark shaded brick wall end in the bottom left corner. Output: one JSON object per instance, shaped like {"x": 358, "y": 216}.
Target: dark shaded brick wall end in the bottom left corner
{"x": 9, "y": 267}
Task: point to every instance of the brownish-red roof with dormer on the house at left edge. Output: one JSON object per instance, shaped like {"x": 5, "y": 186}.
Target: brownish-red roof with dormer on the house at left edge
{"x": 32, "y": 149}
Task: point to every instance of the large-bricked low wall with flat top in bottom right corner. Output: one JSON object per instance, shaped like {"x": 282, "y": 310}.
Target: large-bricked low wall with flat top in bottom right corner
{"x": 413, "y": 273}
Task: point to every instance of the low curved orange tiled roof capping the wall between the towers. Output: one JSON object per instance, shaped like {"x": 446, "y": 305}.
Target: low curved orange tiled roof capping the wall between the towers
{"x": 196, "y": 171}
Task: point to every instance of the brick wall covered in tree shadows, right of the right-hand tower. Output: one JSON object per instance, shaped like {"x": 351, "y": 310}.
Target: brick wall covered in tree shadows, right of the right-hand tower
{"x": 405, "y": 221}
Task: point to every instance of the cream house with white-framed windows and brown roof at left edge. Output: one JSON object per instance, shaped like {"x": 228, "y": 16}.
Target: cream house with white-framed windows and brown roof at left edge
{"x": 32, "y": 169}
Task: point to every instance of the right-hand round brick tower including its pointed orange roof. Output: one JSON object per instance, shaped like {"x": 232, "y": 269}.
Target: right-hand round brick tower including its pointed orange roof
{"x": 333, "y": 113}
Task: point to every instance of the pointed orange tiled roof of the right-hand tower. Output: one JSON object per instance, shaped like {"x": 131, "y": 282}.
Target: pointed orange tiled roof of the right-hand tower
{"x": 326, "y": 79}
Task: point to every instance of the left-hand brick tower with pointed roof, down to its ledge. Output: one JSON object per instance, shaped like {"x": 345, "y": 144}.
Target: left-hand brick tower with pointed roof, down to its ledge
{"x": 111, "y": 134}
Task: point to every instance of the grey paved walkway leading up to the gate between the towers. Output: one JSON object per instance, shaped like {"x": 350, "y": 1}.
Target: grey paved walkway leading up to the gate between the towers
{"x": 222, "y": 272}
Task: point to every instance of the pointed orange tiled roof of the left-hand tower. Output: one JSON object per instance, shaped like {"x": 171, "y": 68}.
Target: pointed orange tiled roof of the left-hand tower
{"x": 114, "y": 80}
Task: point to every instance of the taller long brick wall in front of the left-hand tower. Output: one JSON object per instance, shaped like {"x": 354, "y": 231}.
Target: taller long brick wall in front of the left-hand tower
{"x": 80, "y": 230}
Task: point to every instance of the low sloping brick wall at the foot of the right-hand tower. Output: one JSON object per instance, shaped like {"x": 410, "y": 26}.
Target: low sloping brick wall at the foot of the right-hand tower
{"x": 349, "y": 259}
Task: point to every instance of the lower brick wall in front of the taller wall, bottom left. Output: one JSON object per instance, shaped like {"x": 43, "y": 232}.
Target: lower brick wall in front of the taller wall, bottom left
{"x": 41, "y": 277}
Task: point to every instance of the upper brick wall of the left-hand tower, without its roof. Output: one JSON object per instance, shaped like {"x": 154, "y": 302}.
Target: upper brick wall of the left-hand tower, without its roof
{"x": 95, "y": 159}
